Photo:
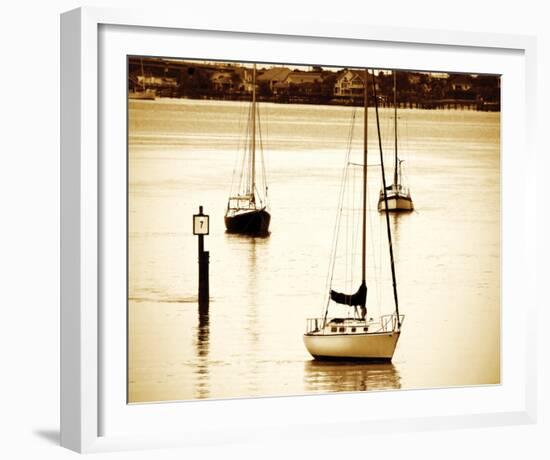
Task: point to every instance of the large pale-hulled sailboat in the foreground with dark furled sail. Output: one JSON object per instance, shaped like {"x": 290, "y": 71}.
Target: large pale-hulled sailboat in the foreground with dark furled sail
{"x": 358, "y": 337}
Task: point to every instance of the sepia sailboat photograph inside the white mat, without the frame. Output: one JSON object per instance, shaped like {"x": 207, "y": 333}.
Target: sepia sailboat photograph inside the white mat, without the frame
{"x": 298, "y": 229}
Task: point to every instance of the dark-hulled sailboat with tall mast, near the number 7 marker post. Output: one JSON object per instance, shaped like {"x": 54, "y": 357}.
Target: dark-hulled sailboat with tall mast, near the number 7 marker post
{"x": 247, "y": 210}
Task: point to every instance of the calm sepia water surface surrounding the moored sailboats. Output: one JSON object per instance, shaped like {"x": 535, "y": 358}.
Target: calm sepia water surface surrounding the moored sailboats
{"x": 182, "y": 154}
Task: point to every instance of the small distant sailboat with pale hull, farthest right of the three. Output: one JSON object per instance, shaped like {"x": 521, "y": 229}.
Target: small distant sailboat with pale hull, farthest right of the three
{"x": 398, "y": 194}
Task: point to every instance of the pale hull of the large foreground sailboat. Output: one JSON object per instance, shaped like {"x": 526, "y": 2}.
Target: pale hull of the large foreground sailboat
{"x": 369, "y": 346}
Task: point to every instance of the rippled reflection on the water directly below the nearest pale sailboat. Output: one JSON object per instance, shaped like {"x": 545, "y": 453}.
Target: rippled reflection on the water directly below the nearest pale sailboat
{"x": 350, "y": 376}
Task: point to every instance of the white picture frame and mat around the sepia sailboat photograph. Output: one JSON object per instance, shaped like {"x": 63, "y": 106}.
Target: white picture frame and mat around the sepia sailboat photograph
{"x": 91, "y": 412}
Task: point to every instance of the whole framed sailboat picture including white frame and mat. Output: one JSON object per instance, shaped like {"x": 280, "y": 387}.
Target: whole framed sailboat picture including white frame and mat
{"x": 313, "y": 220}
